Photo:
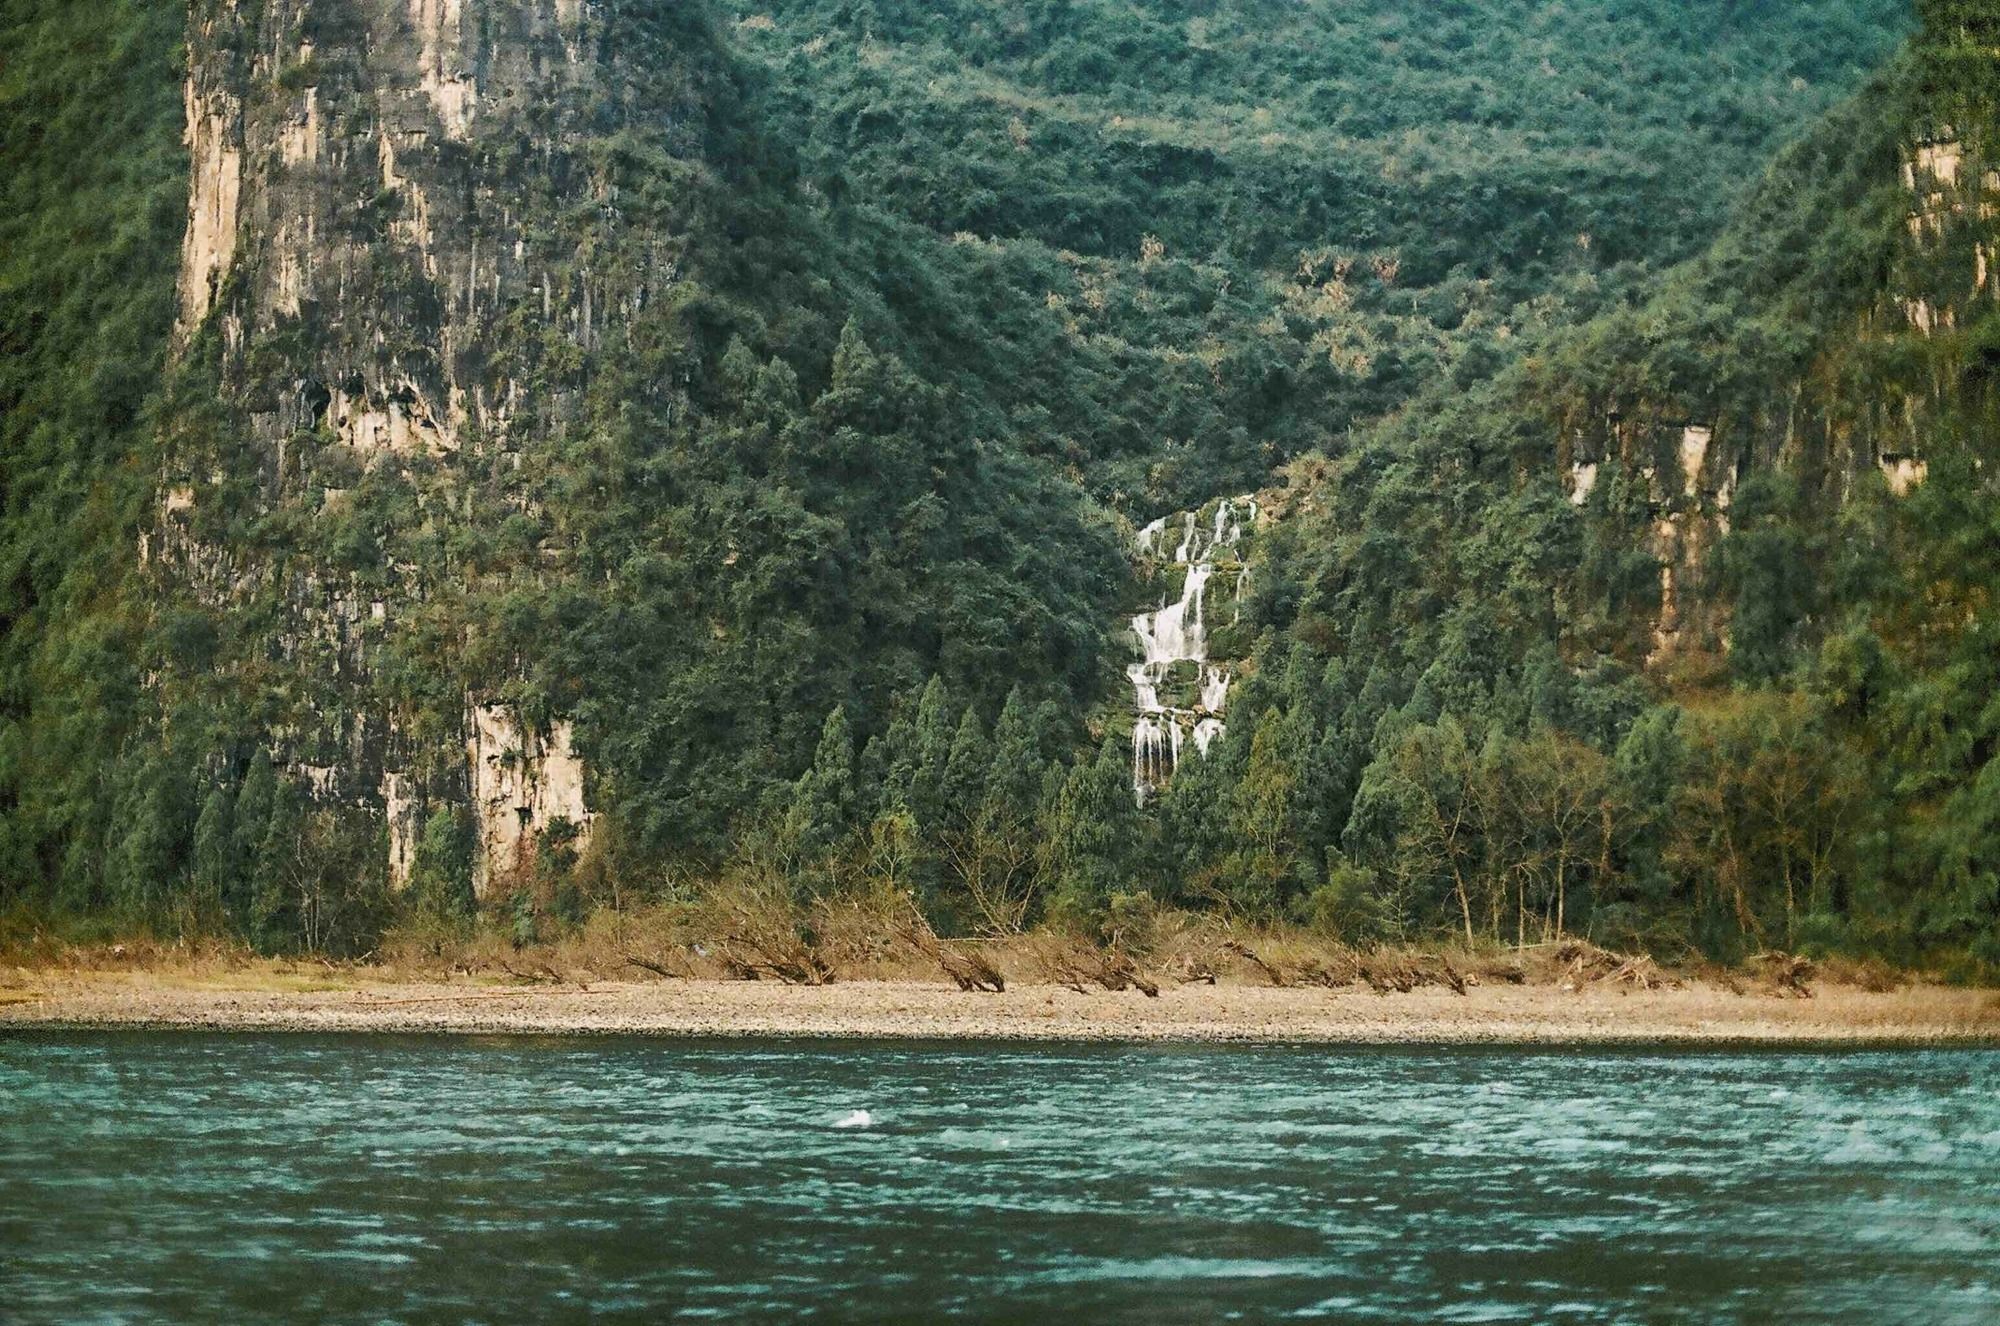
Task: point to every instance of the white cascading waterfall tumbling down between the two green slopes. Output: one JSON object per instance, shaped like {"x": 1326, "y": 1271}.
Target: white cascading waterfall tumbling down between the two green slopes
{"x": 1177, "y": 633}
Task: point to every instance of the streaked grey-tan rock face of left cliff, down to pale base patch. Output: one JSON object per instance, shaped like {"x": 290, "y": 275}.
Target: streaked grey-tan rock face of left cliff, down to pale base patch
{"x": 405, "y": 253}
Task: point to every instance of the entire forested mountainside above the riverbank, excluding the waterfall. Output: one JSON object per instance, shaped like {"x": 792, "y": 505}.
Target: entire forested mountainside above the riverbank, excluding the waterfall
{"x": 617, "y": 445}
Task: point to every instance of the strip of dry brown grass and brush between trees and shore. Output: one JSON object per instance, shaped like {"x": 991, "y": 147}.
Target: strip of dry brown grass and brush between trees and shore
{"x": 755, "y": 931}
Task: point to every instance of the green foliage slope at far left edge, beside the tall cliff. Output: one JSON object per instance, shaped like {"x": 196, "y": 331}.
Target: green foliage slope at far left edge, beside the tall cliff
{"x": 93, "y": 201}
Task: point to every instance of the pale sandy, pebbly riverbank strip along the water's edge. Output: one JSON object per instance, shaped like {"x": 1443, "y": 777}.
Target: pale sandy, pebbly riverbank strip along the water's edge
{"x": 1917, "y": 1015}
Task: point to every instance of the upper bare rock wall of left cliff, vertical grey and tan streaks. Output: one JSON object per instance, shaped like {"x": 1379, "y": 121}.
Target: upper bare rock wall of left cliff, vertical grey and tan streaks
{"x": 359, "y": 187}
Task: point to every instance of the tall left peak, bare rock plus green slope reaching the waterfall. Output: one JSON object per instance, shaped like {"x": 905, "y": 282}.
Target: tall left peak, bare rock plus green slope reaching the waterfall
{"x": 527, "y": 449}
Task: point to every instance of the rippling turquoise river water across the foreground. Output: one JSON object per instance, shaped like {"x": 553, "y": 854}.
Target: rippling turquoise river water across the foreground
{"x": 381, "y": 1179}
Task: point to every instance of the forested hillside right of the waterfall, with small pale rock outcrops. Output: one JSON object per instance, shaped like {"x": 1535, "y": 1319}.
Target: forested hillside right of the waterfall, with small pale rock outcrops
{"x": 1677, "y": 631}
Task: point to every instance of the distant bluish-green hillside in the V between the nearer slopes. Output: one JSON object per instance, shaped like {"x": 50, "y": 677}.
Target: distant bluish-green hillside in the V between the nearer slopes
{"x": 1259, "y": 225}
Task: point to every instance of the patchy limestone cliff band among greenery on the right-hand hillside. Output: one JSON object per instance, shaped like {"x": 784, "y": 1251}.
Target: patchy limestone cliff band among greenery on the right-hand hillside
{"x": 1865, "y": 403}
